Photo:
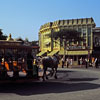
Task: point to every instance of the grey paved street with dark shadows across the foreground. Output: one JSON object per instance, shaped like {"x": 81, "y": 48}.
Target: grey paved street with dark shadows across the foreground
{"x": 72, "y": 84}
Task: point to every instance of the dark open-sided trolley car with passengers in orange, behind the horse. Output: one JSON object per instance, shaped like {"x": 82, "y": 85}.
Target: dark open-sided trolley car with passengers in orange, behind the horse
{"x": 13, "y": 61}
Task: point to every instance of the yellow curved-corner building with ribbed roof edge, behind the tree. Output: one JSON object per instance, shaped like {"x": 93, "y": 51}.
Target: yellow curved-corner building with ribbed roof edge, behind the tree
{"x": 87, "y": 28}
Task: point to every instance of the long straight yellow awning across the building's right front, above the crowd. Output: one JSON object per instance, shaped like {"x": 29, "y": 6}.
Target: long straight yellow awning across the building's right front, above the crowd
{"x": 84, "y": 52}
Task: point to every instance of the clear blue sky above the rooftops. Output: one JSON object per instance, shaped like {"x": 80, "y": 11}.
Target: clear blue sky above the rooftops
{"x": 23, "y": 18}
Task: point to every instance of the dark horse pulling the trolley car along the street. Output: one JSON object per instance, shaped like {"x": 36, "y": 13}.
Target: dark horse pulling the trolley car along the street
{"x": 50, "y": 62}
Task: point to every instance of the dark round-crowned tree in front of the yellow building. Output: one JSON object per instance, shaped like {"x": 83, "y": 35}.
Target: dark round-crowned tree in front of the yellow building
{"x": 66, "y": 36}
